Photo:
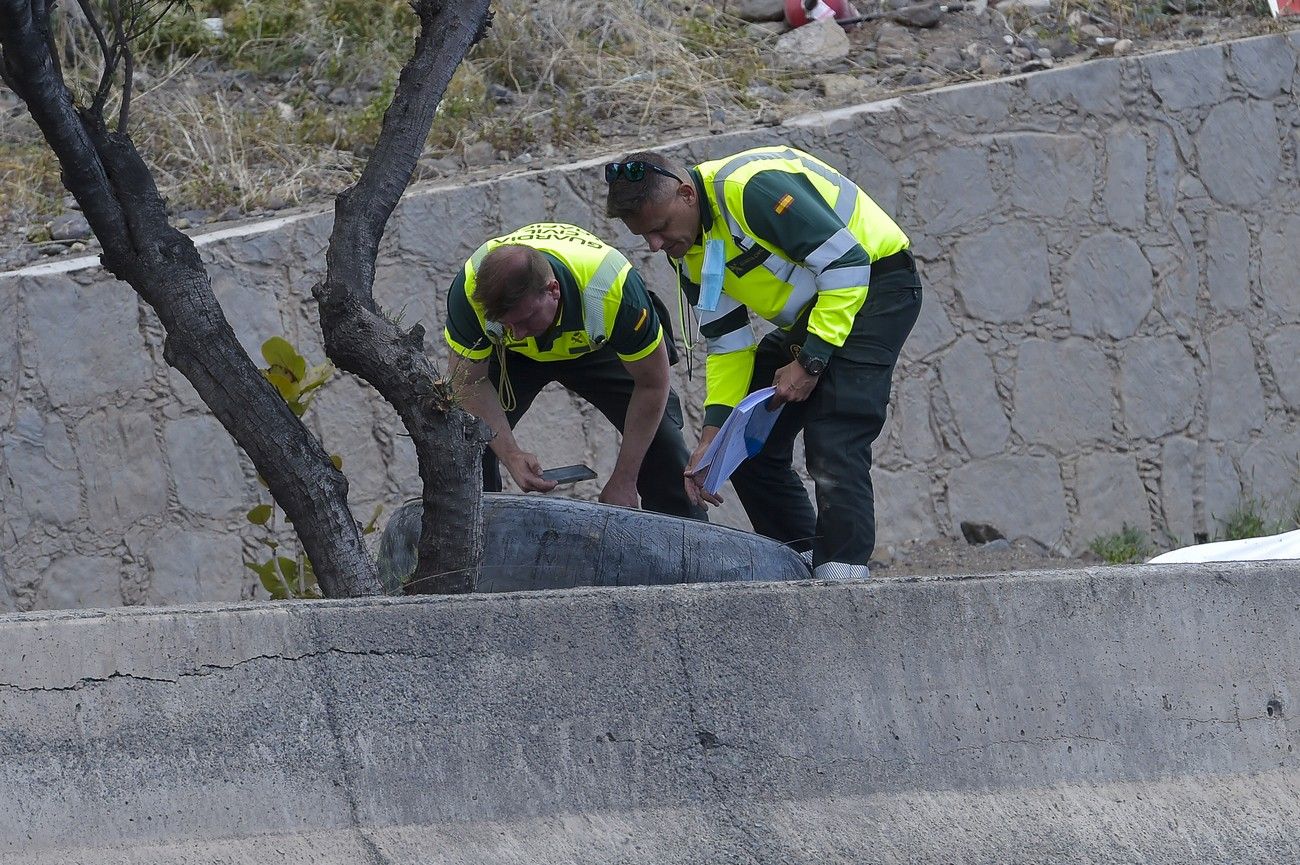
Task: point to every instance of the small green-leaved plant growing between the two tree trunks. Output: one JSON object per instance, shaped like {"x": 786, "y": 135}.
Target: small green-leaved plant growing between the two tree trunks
{"x": 291, "y": 577}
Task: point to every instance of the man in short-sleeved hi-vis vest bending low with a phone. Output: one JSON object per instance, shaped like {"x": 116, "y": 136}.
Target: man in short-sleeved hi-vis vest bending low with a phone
{"x": 551, "y": 302}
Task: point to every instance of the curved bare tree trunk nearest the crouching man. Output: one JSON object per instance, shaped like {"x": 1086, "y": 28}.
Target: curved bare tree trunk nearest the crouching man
{"x": 359, "y": 339}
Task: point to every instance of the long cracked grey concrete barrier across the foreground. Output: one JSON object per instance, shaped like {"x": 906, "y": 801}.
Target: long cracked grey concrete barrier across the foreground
{"x": 1142, "y": 715}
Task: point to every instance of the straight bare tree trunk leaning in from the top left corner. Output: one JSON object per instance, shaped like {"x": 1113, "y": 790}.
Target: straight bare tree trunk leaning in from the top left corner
{"x": 120, "y": 201}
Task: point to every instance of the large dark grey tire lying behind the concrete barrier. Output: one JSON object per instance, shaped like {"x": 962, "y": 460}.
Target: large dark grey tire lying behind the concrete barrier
{"x": 544, "y": 543}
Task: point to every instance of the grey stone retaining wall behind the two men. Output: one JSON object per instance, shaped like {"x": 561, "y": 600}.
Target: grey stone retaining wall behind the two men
{"x": 1110, "y": 334}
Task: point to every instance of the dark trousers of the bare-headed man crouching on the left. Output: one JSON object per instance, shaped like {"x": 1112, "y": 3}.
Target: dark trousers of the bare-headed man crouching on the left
{"x": 603, "y": 380}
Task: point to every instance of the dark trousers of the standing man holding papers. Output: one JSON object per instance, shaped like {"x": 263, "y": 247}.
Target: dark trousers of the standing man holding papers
{"x": 840, "y": 421}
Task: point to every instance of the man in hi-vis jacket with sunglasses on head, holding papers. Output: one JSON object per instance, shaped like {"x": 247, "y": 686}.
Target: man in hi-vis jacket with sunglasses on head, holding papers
{"x": 781, "y": 233}
